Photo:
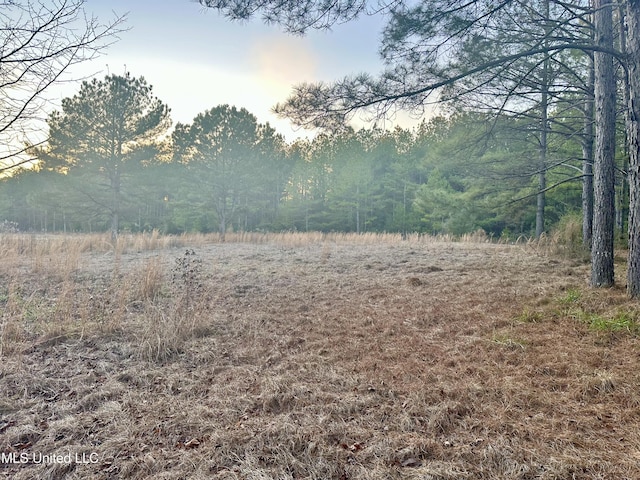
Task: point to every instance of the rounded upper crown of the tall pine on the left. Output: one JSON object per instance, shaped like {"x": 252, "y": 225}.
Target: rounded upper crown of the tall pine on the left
{"x": 108, "y": 123}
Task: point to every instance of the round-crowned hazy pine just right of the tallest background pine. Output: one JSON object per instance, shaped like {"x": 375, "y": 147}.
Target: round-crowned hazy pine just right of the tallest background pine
{"x": 237, "y": 163}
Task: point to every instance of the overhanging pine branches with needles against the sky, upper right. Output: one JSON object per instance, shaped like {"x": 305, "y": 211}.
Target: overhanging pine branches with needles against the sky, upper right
{"x": 490, "y": 53}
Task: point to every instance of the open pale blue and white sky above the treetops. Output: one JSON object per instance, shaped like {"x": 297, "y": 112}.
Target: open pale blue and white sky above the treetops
{"x": 196, "y": 60}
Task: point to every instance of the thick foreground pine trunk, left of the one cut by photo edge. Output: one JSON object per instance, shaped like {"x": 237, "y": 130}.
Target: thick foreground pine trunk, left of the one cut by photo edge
{"x": 602, "y": 273}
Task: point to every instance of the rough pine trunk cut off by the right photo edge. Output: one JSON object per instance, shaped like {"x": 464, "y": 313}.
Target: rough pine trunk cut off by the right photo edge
{"x": 633, "y": 138}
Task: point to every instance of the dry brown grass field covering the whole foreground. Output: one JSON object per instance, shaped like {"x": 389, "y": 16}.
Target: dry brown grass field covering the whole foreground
{"x": 312, "y": 357}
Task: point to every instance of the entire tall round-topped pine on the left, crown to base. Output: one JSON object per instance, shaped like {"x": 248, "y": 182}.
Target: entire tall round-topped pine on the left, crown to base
{"x": 103, "y": 135}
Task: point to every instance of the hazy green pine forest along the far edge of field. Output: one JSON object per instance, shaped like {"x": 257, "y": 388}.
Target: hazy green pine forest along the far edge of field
{"x": 452, "y": 174}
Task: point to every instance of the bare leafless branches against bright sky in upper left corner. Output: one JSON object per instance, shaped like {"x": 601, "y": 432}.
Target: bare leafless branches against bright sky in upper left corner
{"x": 39, "y": 42}
